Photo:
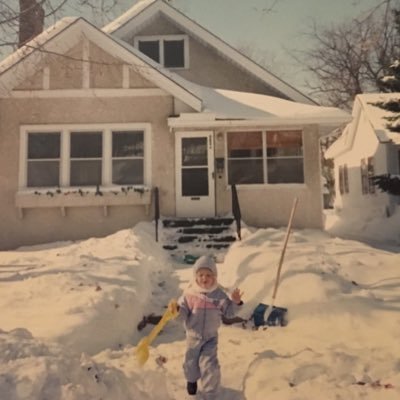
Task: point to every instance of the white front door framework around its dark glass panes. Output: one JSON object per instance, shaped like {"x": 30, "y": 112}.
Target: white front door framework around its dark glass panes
{"x": 195, "y": 205}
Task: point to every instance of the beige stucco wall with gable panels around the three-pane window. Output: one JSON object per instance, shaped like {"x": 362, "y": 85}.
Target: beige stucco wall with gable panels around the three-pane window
{"x": 39, "y": 225}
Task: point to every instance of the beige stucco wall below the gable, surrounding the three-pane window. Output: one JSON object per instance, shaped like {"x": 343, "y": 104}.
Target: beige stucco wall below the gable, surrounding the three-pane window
{"x": 48, "y": 224}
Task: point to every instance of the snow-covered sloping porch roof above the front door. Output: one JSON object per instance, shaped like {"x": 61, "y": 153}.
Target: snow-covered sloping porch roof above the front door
{"x": 240, "y": 108}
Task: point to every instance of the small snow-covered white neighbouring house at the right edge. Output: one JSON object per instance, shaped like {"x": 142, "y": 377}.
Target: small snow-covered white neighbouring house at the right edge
{"x": 366, "y": 148}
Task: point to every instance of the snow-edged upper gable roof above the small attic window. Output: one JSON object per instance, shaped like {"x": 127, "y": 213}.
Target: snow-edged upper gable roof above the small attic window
{"x": 145, "y": 10}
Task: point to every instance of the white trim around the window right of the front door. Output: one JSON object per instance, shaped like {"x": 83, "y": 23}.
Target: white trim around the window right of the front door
{"x": 264, "y": 156}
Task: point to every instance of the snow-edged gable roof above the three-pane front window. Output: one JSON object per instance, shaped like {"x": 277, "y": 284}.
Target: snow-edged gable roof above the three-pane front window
{"x": 63, "y": 35}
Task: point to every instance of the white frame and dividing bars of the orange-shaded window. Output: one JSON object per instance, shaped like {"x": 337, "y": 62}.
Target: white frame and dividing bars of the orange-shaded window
{"x": 265, "y": 157}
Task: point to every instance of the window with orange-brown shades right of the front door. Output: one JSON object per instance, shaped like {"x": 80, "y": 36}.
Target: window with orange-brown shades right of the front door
{"x": 265, "y": 157}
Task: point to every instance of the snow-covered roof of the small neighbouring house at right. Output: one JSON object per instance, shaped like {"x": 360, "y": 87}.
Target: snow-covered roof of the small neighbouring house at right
{"x": 365, "y": 104}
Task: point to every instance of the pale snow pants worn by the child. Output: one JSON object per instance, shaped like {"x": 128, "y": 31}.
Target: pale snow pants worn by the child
{"x": 201, "y": 363}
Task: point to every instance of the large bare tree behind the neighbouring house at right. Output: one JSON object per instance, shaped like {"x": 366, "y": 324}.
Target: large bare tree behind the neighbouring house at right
{"x": 350, "y": 58}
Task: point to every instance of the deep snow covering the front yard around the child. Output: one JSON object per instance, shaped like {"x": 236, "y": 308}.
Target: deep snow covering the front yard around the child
{"x": 69, "y": 311}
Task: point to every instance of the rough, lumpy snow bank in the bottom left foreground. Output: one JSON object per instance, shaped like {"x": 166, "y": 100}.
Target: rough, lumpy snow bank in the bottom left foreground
{"x": 31, "y": 369}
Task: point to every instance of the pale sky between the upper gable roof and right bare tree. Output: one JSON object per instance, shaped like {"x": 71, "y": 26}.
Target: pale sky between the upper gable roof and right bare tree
{"x": 274, "y": 32}
